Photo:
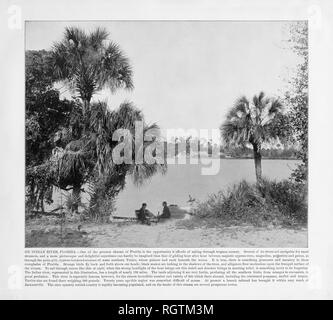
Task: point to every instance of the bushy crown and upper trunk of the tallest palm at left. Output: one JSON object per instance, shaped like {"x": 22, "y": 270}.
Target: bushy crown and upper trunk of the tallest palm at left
{"x": 89, "y": 63}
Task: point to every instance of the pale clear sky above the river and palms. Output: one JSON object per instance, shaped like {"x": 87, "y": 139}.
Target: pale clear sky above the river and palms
{"x": 188, "y": 74}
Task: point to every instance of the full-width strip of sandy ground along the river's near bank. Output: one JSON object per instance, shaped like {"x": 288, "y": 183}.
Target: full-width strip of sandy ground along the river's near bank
{"x": 173, "y": 233}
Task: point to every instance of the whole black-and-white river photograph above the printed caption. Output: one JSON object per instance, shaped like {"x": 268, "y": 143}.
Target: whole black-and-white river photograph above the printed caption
{"x": 166, "y": 134}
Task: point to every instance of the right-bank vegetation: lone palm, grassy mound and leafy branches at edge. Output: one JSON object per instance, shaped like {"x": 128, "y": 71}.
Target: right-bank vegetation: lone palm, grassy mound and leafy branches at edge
{"x": 277, "y": 202}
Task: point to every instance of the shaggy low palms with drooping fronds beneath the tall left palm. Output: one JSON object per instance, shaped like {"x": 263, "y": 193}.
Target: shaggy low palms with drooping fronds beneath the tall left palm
{"x": 89, "y": 159}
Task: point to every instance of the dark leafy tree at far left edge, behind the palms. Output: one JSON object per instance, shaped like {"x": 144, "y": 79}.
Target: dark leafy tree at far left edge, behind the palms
{"x": 46, "y": 114}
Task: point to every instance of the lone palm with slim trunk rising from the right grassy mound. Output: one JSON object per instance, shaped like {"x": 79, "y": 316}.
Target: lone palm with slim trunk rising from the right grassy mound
{"x": 253, "y": 122}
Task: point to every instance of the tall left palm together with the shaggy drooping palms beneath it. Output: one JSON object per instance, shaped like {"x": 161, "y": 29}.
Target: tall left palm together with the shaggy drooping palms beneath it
{"x": 88, "y": 63}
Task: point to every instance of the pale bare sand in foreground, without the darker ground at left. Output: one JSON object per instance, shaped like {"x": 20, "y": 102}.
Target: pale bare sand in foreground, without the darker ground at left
{"x": 173, "y": 235}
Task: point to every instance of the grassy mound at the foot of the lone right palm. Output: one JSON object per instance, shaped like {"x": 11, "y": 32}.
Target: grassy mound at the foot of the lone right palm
{"x": 270, "y": 202}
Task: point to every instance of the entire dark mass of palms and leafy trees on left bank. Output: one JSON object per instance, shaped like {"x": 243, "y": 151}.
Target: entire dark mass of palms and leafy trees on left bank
{"x": 69, "y": 142}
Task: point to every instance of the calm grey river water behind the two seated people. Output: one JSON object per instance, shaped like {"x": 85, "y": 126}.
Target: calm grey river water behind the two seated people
{"x": 183, "y": 180}
